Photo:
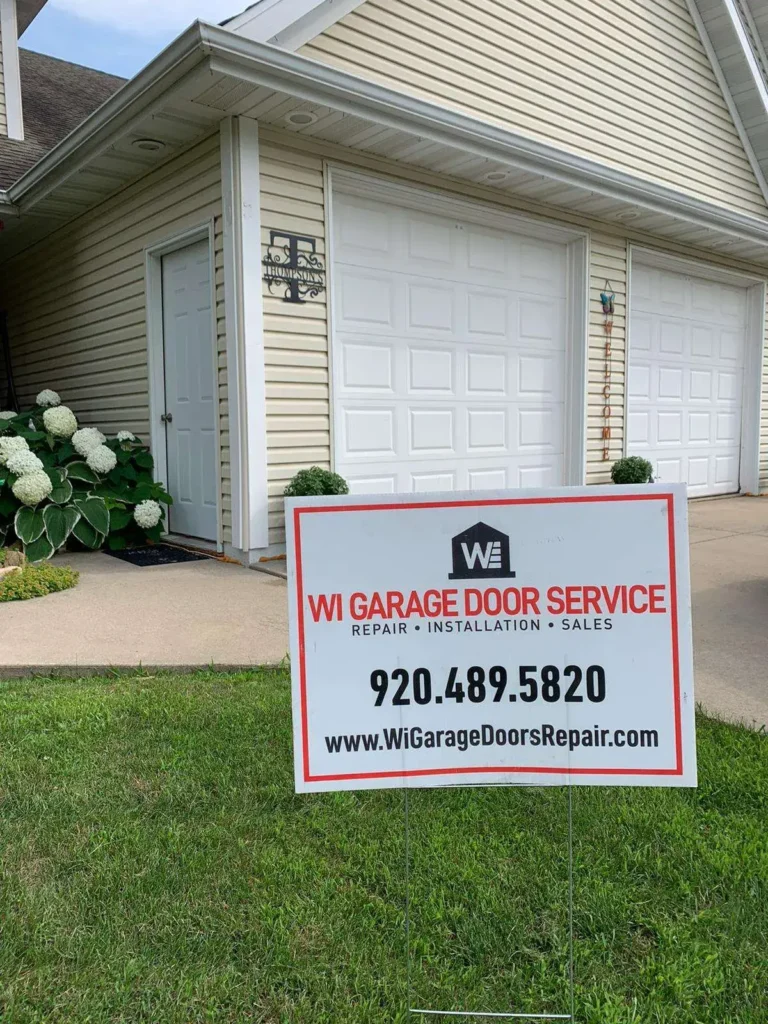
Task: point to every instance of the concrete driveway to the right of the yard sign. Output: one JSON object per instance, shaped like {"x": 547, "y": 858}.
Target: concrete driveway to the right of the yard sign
{"x": 730, "y": 579}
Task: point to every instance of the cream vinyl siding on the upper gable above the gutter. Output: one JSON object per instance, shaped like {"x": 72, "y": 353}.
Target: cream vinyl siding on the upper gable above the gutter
{"x": 625, "y": 82}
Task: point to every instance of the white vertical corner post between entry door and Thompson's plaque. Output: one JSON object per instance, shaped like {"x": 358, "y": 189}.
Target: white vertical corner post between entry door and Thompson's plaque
{"x": 245, "y": 332}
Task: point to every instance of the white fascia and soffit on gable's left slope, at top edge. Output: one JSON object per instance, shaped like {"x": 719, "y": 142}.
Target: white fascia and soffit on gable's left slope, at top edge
{"x": 290, "y": 24}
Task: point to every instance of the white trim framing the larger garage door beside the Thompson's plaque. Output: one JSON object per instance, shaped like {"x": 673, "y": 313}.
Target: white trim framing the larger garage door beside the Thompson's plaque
{"x": 339, "y": 178}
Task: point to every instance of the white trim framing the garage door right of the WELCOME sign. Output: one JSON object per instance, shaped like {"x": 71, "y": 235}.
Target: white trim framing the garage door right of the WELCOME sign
{"x": 749, "y": 472}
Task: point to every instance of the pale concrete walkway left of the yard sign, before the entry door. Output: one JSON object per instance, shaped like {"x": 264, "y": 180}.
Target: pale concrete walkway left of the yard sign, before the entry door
{"x": 192, "y": 614}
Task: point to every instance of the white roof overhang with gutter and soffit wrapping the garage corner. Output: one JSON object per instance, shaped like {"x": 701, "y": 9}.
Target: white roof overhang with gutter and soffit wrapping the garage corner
{"x": 210, "y": 73}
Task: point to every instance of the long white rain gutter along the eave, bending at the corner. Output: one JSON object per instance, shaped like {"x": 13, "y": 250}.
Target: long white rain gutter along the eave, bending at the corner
{"x": 269, "y": 66}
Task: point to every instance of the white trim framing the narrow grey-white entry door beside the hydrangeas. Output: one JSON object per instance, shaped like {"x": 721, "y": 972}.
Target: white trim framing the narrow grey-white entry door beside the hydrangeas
{"x": 156, "y": 356}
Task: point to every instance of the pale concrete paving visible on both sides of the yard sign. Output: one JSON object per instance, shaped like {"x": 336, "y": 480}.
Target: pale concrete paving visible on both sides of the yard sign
{"x": 209, "y": 613}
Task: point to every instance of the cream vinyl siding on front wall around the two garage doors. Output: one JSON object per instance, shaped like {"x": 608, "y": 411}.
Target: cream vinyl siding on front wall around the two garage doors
{"x": 296, "y": 337}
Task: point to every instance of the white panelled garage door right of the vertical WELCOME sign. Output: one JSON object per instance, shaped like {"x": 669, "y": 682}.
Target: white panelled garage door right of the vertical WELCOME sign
{"x": 688, "y": 349}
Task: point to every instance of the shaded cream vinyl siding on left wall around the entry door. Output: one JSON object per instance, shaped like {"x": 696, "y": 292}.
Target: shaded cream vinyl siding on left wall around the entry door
{"x": 76, "y": 303}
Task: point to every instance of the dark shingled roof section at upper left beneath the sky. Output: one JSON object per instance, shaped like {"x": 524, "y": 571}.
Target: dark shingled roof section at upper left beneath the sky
{"x": 57, "y": 98}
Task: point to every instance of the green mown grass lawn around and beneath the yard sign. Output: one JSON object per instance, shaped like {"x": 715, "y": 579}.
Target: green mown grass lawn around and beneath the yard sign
{"x": 156, "y": 867}
